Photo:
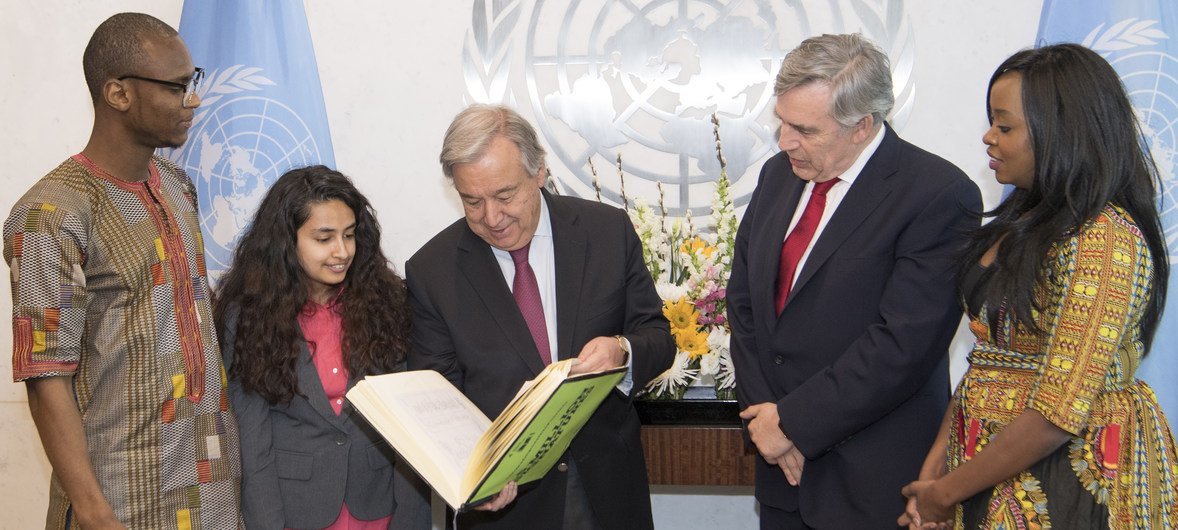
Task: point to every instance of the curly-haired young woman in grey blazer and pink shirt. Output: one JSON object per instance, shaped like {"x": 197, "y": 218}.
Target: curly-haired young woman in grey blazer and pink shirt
{"x": 310, "y": 307}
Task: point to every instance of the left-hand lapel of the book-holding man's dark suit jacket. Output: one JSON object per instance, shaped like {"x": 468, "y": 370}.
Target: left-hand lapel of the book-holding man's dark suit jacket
{"x": 482, "y": 271}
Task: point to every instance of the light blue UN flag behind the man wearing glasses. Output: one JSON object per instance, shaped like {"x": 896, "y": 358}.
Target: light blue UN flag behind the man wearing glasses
{"x": 261, "y": 114}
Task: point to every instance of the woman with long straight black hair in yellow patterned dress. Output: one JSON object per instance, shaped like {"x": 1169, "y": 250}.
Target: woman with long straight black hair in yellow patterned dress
{"x": 1064, "y": 289}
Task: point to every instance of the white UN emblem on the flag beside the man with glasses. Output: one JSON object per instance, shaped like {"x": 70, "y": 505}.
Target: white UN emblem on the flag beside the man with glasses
{"x": 240, "y": 144}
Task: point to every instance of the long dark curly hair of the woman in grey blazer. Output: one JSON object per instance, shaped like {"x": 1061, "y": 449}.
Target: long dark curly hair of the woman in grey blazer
{"x": 267, "y": 288}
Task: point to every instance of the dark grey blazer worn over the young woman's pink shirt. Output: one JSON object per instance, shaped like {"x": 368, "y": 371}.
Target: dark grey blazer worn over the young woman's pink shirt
{"x": 301, "y": 462}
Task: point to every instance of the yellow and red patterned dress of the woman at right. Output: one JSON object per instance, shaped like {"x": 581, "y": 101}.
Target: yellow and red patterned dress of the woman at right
{"x": 1119, "y": 469}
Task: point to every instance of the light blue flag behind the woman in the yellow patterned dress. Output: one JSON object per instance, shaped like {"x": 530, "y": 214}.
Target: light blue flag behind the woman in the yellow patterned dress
{"x": 1140, "y": 38}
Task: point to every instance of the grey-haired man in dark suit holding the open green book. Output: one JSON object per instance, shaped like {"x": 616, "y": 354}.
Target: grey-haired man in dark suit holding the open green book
{"x": 527, "y": 279}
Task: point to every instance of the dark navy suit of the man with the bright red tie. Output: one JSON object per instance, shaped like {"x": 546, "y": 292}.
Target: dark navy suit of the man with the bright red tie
{"x": 858, "y": 360}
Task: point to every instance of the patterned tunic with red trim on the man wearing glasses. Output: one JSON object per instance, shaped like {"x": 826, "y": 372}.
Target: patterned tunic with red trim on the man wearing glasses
{"x": 109, "y": 287}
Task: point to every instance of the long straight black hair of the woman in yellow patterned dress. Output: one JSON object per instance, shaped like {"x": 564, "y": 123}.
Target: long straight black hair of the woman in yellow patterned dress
{"x": 1089, "y": 153}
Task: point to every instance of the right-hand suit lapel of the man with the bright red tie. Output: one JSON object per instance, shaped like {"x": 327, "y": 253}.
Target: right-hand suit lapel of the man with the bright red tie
{"x": 869, "y": 193}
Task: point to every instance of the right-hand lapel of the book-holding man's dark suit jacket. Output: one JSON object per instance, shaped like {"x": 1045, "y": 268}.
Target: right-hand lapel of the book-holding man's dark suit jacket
{"x": 570, "y": 263}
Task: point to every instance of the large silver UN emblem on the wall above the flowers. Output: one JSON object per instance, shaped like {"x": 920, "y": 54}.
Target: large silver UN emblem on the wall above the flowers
{"x": 643, "y": 78}
